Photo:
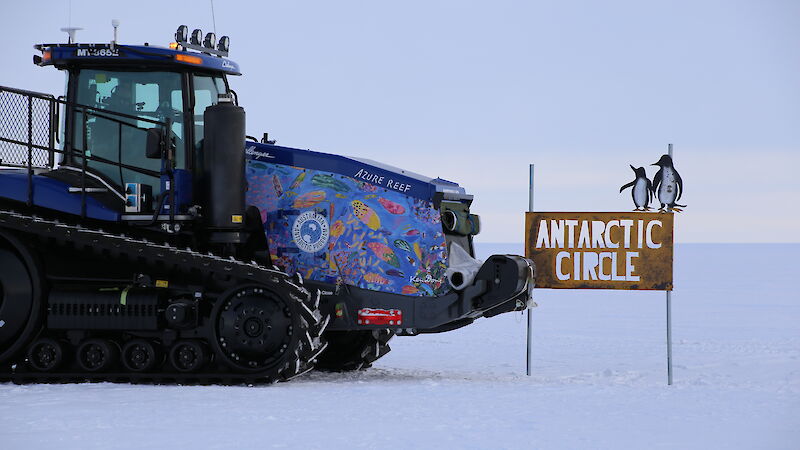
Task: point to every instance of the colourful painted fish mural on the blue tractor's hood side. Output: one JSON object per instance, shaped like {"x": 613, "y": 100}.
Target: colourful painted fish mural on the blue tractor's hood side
{"x": 377, "y": 239}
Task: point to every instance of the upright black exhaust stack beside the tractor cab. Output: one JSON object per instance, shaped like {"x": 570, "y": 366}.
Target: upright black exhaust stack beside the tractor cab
{"x": 223, "y": 177}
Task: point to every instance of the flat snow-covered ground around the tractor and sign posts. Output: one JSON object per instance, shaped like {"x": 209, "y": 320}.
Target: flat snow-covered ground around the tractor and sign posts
{"x": 599, "y": 379}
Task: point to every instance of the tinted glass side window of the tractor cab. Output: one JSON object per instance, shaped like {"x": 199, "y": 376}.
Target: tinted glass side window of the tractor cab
{"x": 149, "y": 95}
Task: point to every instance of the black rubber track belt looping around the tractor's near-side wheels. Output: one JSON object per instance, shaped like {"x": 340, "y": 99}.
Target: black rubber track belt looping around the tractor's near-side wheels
{"x": 229, "y": 270}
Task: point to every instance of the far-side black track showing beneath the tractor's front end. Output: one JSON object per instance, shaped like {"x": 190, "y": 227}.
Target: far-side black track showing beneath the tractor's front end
{"x": 353, "y": 350}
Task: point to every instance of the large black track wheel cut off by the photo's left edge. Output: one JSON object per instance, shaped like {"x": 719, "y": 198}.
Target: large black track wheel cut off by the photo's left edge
{"x": 20, "y": 297}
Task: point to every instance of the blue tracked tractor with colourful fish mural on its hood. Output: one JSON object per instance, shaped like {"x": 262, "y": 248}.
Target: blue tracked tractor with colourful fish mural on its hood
{"x": 144, "y": 237}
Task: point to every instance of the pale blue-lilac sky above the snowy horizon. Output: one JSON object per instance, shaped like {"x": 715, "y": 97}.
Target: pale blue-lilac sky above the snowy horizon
{"x": 475, "y": 91}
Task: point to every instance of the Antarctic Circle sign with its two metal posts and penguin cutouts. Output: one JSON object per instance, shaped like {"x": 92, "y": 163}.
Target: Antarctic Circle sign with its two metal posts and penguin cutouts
{"x": 609, "y": 250}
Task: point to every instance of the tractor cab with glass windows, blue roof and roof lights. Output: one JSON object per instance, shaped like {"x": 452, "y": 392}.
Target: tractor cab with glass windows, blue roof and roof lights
{"x": 132, "y": 119}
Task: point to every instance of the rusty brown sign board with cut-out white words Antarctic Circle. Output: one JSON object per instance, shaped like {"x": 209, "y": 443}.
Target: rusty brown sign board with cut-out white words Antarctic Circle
{"x": 608, "y": 250}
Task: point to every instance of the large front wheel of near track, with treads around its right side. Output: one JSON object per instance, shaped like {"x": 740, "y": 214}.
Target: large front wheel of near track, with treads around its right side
{"x": 272, "y": 333}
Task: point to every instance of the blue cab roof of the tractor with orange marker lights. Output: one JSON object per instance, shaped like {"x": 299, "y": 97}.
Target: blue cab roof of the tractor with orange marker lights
{"x": 78, "y": 55}
